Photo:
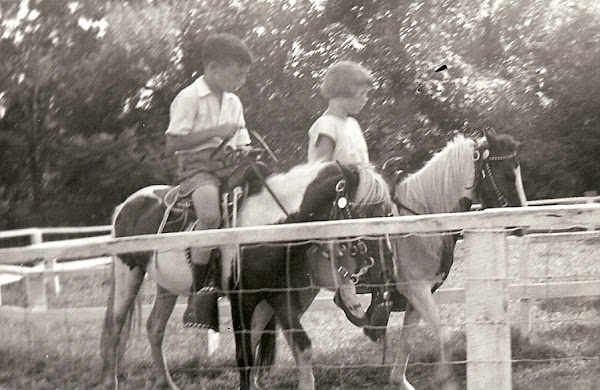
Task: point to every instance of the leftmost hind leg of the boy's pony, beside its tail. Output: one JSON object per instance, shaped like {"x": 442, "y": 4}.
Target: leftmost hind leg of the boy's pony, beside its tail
{"x": 125, "y": 286}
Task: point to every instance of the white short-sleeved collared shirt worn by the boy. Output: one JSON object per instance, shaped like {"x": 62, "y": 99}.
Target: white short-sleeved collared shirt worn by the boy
{"x": 196, "y": 107}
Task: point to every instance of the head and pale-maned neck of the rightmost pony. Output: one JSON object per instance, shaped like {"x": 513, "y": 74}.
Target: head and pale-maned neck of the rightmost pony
{"x": 464, "y": 172}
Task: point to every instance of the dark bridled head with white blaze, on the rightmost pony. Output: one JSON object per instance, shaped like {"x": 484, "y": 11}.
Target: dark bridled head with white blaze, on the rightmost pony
{"x": 498, "y": 173}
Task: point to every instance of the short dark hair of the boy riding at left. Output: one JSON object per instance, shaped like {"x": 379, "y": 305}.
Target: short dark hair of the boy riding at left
{"x": 226, "y": 48}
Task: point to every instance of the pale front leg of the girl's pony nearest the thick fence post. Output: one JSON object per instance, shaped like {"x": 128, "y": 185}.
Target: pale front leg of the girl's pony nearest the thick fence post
{"x": 420, "y": 297}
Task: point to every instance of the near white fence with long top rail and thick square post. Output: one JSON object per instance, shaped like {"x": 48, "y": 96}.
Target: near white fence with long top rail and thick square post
{"x": 487, "y": 290}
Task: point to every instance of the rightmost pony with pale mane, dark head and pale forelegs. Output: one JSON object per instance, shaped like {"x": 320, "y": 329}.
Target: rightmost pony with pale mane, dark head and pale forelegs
{"x": 465, "y": 171}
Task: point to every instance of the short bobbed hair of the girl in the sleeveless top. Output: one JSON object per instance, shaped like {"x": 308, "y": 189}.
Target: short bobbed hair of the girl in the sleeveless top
{"x": 344, "y": 78}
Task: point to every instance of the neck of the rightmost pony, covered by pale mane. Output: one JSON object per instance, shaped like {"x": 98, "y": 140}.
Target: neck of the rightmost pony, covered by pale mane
{"x": 439, "y": 186}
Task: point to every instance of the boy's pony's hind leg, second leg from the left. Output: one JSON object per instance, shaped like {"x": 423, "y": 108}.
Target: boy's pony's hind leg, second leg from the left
{"x": 156, "y": 325}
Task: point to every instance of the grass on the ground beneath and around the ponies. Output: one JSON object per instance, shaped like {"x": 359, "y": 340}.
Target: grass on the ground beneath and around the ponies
{"x": 562, "y": 352}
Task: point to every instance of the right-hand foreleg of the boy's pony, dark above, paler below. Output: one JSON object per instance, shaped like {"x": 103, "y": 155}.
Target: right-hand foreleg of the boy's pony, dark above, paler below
{"x": 296, "y": 338}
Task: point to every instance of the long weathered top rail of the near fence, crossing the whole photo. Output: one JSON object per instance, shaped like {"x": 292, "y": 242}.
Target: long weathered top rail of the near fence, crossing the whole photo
{"x": 547, "y": 217}
